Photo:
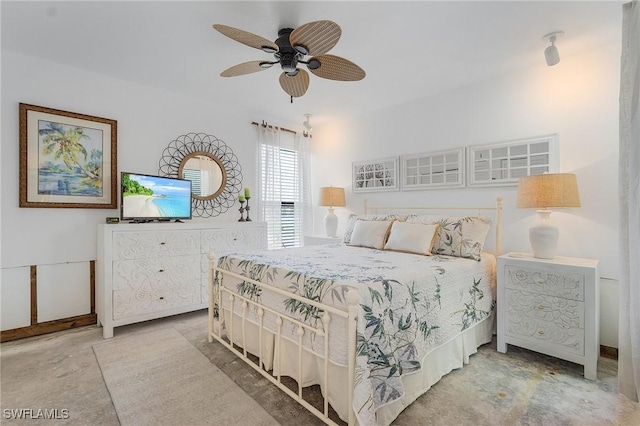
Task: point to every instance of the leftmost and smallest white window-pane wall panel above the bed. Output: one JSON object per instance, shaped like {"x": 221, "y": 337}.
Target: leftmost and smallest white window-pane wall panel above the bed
{"x": 376, "y": 175}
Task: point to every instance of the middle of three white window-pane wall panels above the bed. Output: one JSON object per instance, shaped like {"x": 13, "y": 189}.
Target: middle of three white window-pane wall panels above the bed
{"x": 435, "y": 169}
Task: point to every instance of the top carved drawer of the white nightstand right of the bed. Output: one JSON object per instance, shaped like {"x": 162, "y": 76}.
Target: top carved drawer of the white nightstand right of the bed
{"x": 559, "y": 283}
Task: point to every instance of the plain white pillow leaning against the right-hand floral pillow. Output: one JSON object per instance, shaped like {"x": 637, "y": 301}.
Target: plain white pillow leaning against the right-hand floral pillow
{"x": 412, "y": 237}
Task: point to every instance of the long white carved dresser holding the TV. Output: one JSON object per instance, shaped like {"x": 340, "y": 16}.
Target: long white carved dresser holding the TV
{"x": 152, "y": 270}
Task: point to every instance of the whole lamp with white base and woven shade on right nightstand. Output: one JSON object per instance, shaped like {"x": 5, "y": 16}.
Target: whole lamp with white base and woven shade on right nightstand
{"x": 542, "y": 192}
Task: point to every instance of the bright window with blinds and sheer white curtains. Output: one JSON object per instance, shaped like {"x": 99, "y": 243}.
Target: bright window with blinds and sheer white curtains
{"x": 285, "y": 200}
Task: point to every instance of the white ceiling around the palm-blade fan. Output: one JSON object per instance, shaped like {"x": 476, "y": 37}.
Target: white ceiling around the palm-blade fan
{"x": 408, "y": 49}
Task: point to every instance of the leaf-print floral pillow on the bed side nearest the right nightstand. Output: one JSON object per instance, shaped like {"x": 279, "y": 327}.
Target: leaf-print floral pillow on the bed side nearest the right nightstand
{"x": 460, "y": 236}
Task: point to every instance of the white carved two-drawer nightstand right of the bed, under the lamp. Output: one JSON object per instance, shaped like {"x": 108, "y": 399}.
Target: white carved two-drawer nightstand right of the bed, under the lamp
{"x": 550, "y": 306}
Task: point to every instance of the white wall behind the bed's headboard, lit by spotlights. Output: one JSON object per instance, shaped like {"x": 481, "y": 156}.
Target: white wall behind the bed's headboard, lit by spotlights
{"x": 578, "y": 99}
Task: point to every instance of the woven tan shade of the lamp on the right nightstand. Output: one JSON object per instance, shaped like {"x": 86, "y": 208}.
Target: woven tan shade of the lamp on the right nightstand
{"x": 548, "y": 191}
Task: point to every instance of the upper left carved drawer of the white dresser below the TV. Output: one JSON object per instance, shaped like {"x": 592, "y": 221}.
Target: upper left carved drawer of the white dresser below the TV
{"x": 141, "y": 245}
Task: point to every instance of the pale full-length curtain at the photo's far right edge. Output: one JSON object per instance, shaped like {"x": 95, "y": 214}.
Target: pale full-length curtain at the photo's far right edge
{"x": 629, "y": 181}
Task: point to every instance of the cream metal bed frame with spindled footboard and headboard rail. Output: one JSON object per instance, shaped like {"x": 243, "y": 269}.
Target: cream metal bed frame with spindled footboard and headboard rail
{"x": 215, "y": 327}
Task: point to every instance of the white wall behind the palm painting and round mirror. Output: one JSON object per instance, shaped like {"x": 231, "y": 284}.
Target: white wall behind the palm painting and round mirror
{"x": 148, "y": 120}
